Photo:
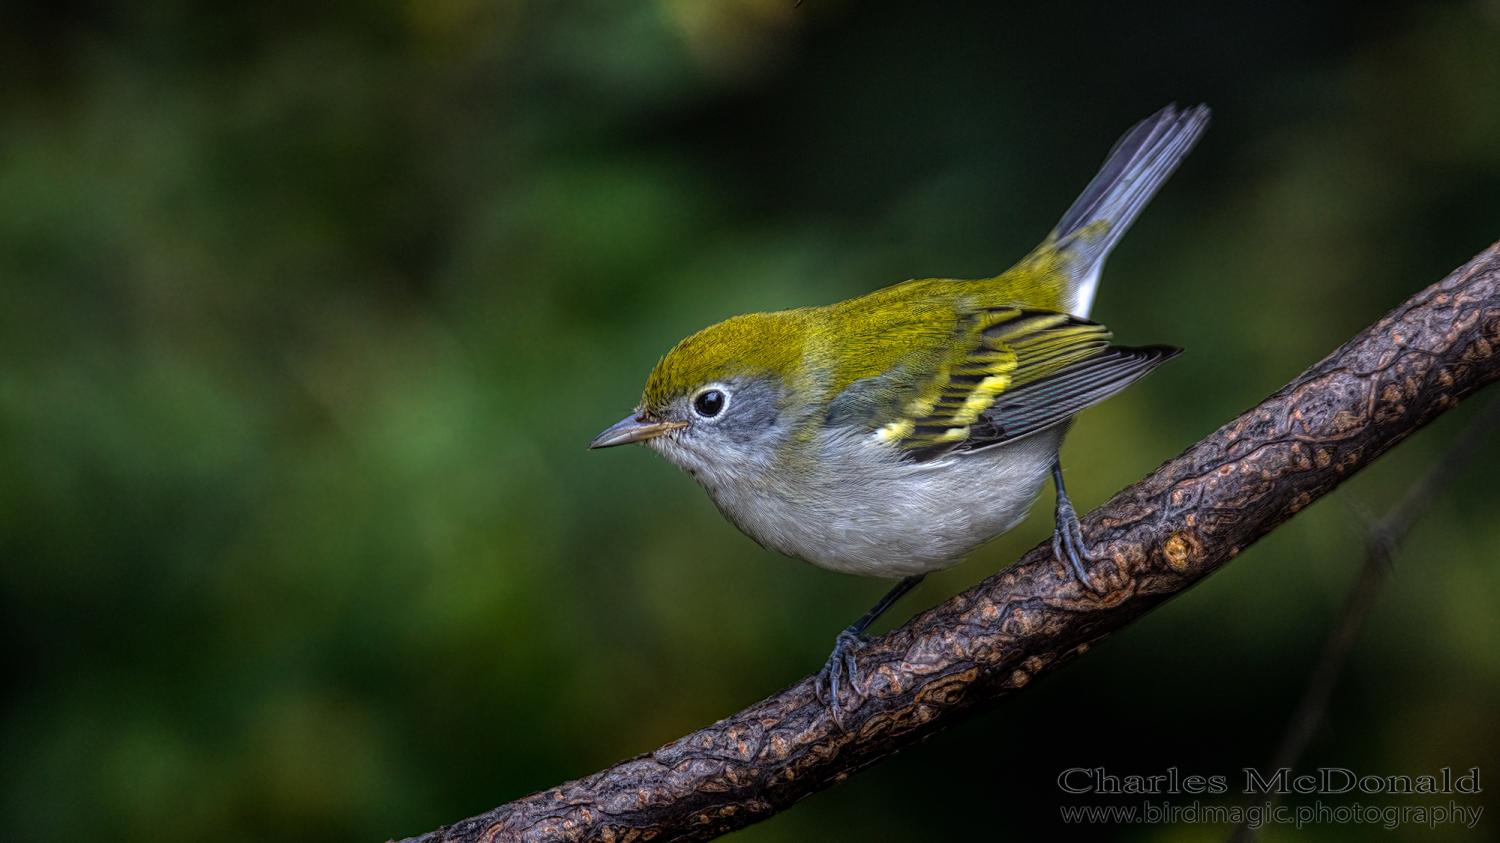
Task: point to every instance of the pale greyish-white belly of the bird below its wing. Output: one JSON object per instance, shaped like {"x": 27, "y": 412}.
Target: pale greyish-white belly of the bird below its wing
{"x": 860, "y": 509}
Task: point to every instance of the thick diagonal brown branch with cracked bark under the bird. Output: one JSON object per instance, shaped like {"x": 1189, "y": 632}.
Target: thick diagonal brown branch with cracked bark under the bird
{"x": 1159, "y": 538}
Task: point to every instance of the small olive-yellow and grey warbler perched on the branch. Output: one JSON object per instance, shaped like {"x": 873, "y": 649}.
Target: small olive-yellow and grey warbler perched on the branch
{"x": 892, "y": 434}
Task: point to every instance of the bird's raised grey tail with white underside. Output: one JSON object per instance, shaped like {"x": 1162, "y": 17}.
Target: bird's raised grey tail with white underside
{"x": 1135, "y": 170}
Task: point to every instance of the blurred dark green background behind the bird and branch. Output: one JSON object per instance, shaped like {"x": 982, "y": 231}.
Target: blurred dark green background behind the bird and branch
{"x": 308, "y": 311}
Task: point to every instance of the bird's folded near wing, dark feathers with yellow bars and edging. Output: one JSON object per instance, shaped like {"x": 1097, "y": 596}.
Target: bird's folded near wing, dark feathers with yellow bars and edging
{"x": 1012, "y": 373}
